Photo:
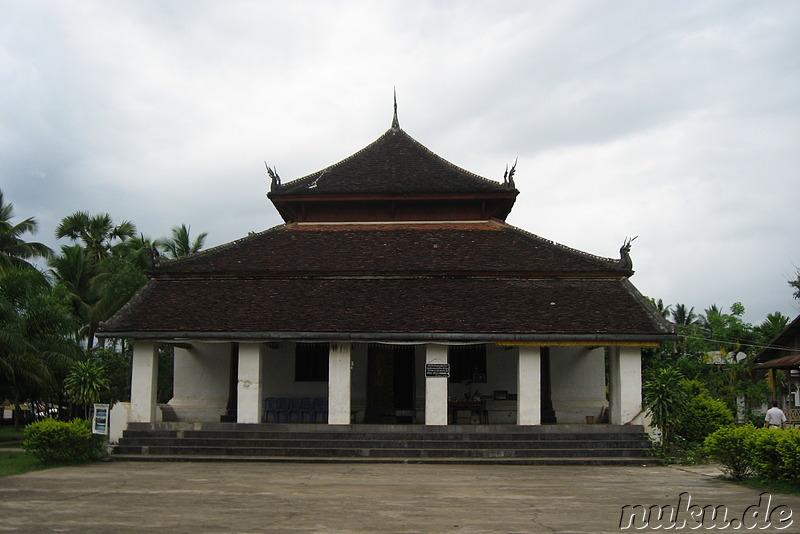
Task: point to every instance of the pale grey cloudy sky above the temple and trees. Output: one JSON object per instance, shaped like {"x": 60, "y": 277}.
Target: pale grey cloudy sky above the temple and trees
{"x": 675, "y": 121}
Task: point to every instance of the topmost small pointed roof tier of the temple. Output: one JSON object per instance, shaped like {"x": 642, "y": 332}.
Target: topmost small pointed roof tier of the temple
{"x": 393, "y": 178}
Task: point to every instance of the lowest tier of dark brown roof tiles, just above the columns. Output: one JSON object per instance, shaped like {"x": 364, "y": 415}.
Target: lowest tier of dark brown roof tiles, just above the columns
{"x": 414, "y": 305}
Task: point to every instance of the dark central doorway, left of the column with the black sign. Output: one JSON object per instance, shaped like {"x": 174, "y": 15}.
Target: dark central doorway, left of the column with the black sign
{"x": 390, "y": 384}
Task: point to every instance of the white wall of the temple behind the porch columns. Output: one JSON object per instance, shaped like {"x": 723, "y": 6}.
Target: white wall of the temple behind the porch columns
{"x": 201, "y": 380}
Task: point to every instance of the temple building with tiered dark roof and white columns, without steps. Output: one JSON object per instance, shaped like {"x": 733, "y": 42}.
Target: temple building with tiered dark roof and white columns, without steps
{"x": 395, "y": 292}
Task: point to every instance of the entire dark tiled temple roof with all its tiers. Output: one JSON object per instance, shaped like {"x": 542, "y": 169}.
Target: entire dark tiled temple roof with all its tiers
{"x": 376, "y": 274}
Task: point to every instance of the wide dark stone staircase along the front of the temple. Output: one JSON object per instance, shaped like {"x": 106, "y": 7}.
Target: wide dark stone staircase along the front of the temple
{"x": 491, "y": 444}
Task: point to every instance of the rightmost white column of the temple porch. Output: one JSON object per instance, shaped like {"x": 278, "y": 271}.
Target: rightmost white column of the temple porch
{"x": 625, "y": 376}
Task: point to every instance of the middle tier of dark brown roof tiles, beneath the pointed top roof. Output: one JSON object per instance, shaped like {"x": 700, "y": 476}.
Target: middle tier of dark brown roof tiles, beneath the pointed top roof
{"x": 399, "y": 249}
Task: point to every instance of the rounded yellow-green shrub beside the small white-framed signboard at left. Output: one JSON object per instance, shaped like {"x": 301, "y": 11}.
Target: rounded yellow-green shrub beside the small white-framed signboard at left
{"x": 54, "y": 441}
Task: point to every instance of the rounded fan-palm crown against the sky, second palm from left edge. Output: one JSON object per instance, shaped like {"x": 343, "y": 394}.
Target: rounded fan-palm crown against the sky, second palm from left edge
{"x": 96, "y": 232}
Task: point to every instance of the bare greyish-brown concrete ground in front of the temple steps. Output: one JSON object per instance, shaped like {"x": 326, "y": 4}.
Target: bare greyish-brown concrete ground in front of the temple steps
{"x": 122, "y": 497}
